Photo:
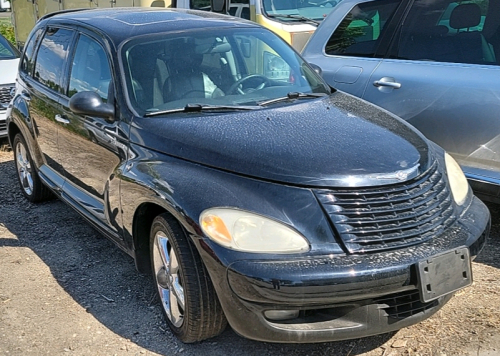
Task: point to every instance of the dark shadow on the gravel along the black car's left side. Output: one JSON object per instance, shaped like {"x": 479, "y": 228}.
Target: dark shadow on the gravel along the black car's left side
{"x": 103, "y": 280}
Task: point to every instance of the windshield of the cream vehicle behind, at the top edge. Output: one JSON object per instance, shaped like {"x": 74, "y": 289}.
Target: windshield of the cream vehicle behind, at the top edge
{"x": 300, "y": 10}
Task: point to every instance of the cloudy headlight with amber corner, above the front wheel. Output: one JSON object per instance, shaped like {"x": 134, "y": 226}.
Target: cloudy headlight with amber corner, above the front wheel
{"x": 244, "y": 231}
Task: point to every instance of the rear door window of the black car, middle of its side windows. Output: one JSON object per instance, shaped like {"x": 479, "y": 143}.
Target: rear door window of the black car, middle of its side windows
{"x": 51, "y": 57}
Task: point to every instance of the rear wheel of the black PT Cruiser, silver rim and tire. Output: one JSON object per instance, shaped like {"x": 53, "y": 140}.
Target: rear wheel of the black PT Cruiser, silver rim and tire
{"x": 31, "y": 185}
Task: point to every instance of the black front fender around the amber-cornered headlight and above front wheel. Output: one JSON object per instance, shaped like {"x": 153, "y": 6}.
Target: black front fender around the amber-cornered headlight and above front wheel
{"x": 186, "y": 189}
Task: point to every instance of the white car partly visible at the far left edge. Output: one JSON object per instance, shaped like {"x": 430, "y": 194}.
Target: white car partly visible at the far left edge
{"x": 9, "y": 61}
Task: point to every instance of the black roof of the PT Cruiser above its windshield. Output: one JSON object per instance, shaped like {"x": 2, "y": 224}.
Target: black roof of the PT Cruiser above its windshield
{"x": 123, "y": 23}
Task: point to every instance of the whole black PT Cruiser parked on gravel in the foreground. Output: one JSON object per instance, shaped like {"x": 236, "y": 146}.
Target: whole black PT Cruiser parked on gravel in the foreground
{"x": 208, "y": 150}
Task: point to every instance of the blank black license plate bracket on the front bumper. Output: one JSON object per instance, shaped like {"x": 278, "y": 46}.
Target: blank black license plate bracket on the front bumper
{"x": 444, "y": 273}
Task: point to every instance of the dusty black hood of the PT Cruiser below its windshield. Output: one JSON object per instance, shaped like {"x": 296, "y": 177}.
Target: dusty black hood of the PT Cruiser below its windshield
{"x": 338, "y": 140}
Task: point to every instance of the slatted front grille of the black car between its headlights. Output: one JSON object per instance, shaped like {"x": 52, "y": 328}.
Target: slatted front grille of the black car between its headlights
{"x": 382, "y": 218}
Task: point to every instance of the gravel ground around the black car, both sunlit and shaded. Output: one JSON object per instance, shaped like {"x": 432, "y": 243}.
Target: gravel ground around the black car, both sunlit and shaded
{"x": 65, "y": 290}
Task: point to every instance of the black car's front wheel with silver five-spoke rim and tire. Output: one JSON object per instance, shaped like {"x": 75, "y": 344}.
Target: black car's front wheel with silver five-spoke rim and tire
{"x": 189, "y": 302}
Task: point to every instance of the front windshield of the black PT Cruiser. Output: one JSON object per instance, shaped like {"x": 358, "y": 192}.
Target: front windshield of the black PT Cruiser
{"x": 226, "y": 67}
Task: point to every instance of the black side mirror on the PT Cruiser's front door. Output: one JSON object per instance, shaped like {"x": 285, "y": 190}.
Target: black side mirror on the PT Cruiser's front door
{"x": 90, "y": 103}
